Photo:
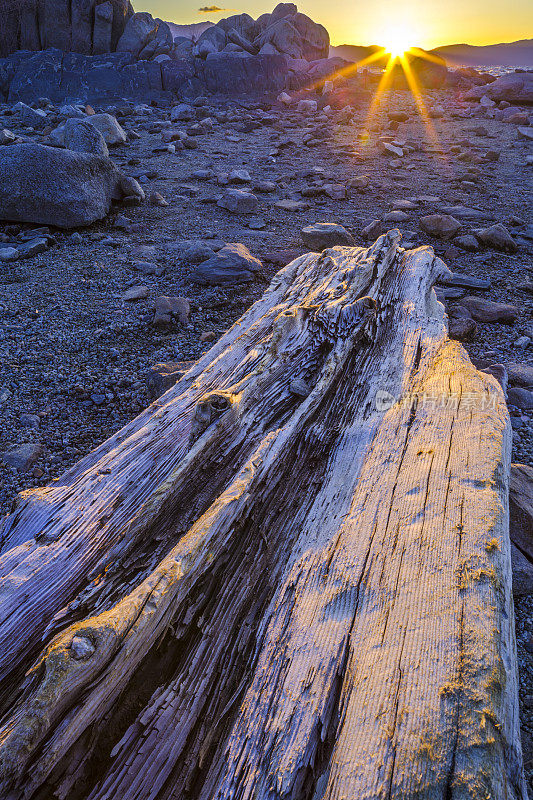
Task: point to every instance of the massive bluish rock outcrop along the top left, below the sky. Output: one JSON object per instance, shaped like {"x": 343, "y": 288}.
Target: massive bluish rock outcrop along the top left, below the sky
{"x": 239, "y": 55}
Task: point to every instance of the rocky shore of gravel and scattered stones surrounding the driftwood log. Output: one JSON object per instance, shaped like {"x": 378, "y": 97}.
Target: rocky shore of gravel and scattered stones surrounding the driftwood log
{"x": 209, "y": 196}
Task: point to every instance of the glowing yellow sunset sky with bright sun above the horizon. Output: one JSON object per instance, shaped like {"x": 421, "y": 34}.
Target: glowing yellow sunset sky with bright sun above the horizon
{"x": 429, "y": 23}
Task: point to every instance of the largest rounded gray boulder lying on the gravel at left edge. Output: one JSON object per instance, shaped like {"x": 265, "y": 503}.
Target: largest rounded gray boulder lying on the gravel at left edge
{"x": 50, "y": 186}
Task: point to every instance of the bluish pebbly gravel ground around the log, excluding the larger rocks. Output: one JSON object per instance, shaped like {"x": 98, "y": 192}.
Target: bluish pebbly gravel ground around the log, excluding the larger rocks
{"x": 74, "y": 355}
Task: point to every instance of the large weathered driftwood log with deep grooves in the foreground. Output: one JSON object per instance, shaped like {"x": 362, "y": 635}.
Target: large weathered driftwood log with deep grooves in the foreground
{"x": 288, "y": 578}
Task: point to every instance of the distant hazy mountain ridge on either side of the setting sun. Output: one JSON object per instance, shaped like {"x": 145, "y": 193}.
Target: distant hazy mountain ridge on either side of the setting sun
{"x": 512, "y": 54}
